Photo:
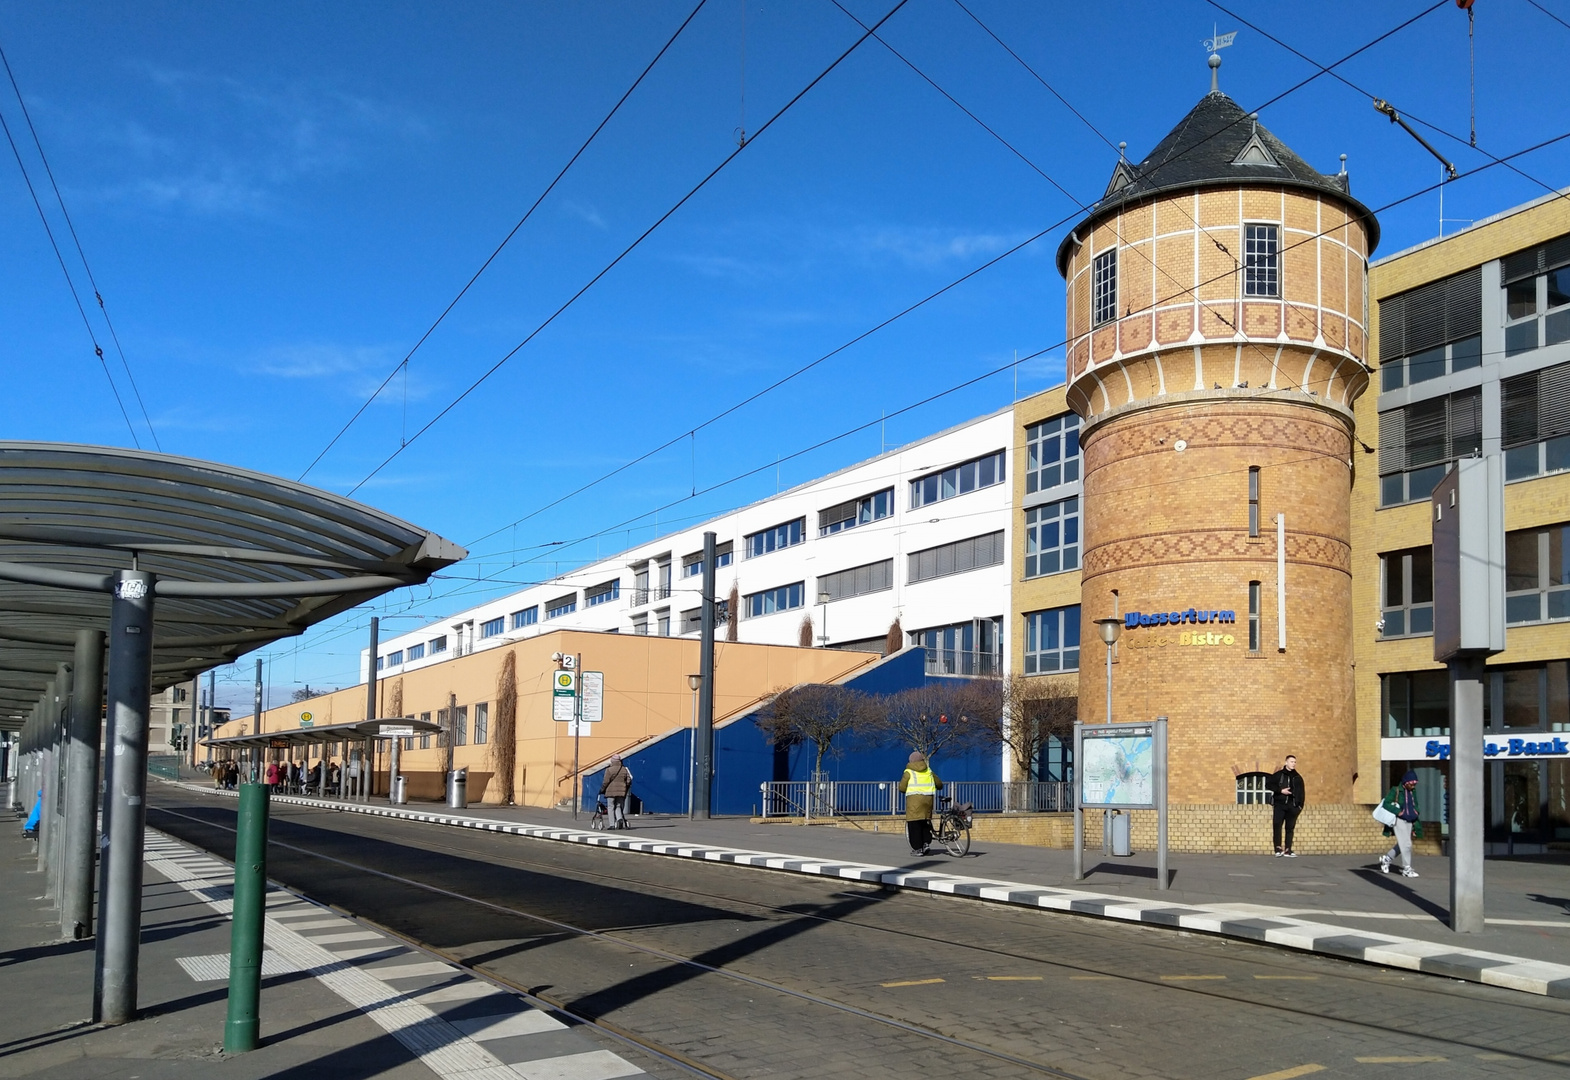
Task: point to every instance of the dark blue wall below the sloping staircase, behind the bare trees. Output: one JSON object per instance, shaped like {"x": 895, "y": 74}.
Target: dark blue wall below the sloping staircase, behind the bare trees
{"x": 745, "y": 759}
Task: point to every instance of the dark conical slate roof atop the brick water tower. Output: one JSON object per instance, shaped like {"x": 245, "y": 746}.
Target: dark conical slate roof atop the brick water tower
{"x": 1218, "y": 145}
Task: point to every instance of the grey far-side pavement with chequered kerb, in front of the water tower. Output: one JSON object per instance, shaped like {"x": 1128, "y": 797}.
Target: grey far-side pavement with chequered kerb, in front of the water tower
{"x": 1334, "y": 905}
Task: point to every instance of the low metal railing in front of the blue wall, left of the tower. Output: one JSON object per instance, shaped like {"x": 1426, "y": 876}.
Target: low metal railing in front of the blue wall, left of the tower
{"x": 867, "y": 798}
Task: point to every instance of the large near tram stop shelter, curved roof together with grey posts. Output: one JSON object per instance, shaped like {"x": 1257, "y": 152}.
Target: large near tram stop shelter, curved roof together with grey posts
{"x": 122, "y": 574}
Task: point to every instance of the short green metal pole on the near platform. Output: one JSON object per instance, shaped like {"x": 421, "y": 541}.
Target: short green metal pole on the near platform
{"x": 250, "y": 902}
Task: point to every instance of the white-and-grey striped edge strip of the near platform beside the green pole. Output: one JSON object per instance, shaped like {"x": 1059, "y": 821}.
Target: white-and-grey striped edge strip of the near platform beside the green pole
{"x": 450, "y": 1020}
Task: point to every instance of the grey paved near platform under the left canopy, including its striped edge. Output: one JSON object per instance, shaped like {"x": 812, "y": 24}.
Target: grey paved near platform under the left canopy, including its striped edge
{"x": 338, "y": 999}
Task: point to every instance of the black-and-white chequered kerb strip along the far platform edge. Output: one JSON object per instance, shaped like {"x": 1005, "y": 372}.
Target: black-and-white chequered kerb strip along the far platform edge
{"x": 1249, "y": 922}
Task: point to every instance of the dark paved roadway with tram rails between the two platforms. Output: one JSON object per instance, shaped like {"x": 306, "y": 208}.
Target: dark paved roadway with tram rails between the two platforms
{"x": 801, "y": 977}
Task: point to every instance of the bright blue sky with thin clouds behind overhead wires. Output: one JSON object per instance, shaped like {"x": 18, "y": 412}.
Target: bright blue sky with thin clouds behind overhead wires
{"x": 277, "y": 202}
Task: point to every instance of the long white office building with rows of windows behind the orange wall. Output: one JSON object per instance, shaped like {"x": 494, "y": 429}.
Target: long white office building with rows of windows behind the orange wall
{"x": 918, "y": 536}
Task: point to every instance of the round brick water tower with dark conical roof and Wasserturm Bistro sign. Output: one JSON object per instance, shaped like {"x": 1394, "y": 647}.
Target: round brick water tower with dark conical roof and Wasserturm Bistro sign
{"x": 1218, "y": 310}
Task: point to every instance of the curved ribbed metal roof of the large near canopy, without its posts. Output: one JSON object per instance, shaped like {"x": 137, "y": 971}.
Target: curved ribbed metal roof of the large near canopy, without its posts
{"x": 243, "y": 560}
